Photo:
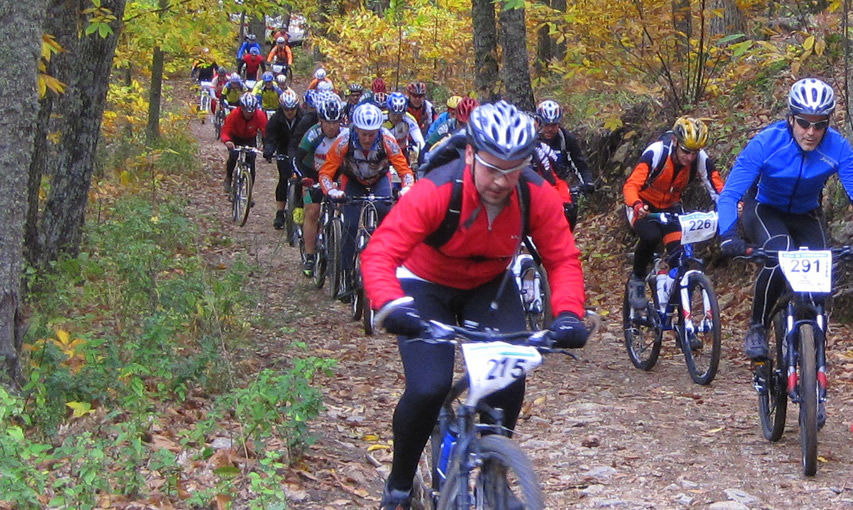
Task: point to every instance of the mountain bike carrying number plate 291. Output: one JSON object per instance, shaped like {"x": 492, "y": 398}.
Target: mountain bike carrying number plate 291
{"x": 796, "y": 334}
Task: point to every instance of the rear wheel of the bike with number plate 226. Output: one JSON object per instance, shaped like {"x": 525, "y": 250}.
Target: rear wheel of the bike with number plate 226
{"x": 643, "y": 334}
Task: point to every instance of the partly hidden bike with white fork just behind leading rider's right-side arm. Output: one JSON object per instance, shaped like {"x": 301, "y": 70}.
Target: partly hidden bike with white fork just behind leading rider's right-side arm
{"x": 533, "y": 287}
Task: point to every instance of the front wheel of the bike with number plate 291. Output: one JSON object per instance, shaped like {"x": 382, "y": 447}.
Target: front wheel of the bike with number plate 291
{"x": 808, "y": 399}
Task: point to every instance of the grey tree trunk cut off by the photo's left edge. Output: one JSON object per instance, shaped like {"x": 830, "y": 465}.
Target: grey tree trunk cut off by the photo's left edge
{"x": 19, "y": 101}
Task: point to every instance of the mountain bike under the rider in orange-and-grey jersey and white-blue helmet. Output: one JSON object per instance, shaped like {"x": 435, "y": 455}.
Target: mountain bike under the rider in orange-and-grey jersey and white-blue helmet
{"x": 368, "y": 221}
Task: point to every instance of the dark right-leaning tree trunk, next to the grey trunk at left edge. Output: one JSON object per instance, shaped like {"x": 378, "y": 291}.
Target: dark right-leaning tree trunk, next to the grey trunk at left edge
{"x": 85, "y": 68}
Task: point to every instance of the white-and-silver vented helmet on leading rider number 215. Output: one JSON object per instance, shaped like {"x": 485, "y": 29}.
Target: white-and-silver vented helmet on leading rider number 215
{"x": 502, "y": 130}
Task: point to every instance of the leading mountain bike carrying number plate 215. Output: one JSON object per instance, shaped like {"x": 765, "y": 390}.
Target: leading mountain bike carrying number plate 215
{"x": 471, "y": 464}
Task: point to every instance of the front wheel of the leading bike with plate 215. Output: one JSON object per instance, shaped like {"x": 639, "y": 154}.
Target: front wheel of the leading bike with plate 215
{"x": 504, "y": 480}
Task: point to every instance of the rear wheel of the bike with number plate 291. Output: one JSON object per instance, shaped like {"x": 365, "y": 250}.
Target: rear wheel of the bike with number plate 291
{"x": 770, "y": 381}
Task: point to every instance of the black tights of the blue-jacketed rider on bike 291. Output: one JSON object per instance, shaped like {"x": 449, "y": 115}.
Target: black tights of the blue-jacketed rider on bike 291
{"x": 776, "y": 230}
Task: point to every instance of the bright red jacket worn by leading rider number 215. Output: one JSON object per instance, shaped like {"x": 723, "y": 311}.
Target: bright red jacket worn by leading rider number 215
{"x": 477, "y": 252}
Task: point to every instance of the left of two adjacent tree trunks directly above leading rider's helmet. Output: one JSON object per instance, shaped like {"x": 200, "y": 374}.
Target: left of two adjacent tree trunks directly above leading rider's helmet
{"x": 485, "y": 48}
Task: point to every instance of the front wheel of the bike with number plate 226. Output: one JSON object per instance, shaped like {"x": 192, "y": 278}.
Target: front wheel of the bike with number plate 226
{"x": 701, "y": 346}
